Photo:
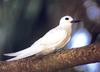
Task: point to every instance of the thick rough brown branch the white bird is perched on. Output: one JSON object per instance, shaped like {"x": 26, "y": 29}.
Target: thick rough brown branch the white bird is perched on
{"x": 64, "y": 59}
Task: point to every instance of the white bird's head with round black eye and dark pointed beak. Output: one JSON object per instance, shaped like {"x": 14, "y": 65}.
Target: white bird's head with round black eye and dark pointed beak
{"x": 67, "y": 21}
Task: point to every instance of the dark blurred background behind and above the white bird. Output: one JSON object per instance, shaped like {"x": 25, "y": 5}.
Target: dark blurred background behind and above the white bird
{"x": 22, "y": 22}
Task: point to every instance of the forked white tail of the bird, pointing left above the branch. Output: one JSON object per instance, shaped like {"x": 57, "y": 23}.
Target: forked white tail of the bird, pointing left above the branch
{"x": 23, "y": 53}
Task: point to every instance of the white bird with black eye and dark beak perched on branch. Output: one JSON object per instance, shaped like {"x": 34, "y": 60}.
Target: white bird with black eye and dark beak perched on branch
{"x": 53, "y": 40}
